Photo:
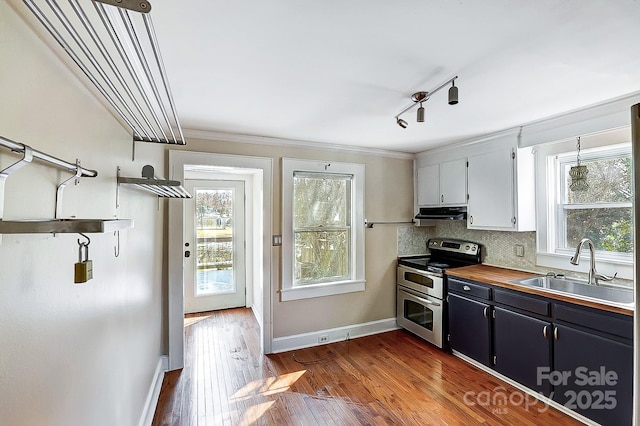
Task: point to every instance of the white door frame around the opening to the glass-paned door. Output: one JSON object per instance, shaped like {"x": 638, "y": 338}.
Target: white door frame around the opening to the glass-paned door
{"x": 177, "y": 162}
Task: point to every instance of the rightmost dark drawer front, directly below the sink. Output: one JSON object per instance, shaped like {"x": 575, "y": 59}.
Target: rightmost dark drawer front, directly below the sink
{"x": 617, "y": 325}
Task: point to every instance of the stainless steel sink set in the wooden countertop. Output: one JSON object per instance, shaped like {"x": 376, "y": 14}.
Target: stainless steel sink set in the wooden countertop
{"x": 579, "y": 288}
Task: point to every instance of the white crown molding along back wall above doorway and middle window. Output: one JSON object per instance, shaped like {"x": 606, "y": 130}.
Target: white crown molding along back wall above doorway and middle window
{"x": 271, "y": 141}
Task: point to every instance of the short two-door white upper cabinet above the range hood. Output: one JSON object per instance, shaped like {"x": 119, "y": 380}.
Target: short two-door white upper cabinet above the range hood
{"x": 443, "y": 184}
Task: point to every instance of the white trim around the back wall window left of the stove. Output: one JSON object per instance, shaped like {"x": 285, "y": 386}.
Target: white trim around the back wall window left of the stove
{"x": 357, "y": 280}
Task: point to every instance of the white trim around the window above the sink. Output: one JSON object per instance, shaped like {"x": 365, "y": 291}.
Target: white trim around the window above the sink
{"x": 547, "y": 172}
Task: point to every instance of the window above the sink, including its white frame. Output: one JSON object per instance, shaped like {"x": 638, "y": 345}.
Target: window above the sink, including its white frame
{"x": 603, "y": 212}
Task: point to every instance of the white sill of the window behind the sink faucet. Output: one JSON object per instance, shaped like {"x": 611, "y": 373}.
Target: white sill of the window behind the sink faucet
{"x": 623, "y": 268}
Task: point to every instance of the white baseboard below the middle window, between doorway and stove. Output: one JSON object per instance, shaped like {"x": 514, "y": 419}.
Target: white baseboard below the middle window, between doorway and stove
{"x": 307, "y": 340}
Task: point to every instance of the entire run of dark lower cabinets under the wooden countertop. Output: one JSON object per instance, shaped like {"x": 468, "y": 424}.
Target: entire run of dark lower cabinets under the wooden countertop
{"x": 579, "y": 356}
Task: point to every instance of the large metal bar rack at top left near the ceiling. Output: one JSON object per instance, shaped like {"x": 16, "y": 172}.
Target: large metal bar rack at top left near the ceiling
{"x": 117, "y": 50}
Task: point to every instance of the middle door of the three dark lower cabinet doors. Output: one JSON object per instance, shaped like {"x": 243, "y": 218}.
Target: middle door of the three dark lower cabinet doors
{"x": 522, "y": 348}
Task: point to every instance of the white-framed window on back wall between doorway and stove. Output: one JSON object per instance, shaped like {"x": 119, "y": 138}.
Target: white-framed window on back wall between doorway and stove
{"x": 323, "y": 221}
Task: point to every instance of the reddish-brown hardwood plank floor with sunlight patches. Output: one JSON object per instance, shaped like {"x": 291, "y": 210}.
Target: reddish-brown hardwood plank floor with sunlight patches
{"x": 390, "y": 378}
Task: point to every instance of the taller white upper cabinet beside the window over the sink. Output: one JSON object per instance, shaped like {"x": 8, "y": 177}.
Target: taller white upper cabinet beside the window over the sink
{"x": 501, "y": 190}
